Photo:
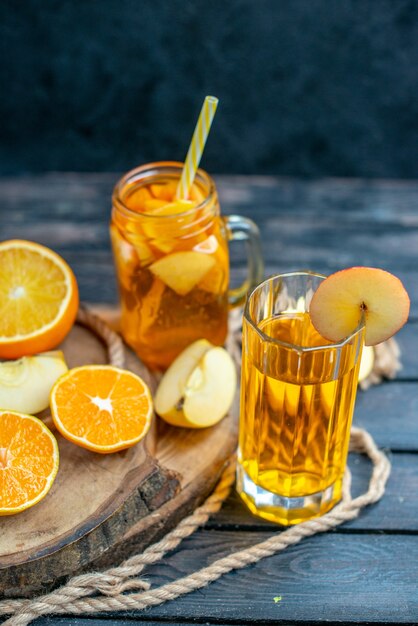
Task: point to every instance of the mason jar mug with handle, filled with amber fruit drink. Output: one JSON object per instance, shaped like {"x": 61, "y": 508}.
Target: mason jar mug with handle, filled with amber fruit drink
{"x": 172, "y": 261}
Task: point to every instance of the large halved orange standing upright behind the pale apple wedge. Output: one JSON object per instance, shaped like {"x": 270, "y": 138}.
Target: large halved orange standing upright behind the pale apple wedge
{"x": 38, "y": 299}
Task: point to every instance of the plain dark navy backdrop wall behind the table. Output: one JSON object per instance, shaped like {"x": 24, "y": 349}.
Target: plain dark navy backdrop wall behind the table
{"x": 306, "y": 87}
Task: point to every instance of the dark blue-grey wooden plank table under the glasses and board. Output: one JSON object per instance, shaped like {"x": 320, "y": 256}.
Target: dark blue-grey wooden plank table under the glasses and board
{"x": 367, "y": 570}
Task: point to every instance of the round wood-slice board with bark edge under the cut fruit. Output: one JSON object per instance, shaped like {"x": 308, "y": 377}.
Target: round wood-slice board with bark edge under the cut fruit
{"x": 103, "y": 508}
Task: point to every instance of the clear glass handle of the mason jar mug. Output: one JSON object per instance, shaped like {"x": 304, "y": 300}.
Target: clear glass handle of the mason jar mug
{"x": 244, "y": 229}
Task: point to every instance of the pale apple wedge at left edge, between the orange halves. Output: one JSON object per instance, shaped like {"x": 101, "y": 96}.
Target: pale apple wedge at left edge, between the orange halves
{"x": 25, "y": 383}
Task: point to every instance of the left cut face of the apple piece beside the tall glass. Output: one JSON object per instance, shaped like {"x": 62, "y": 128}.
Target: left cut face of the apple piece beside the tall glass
{"x": 168, "y": 399}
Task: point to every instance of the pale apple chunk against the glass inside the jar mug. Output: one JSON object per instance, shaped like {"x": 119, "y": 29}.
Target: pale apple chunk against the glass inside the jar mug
{"x": 182, "y": 271}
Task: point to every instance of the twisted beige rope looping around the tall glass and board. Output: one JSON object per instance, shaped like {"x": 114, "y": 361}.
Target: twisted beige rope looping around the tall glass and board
{"x": 108, "y": 587}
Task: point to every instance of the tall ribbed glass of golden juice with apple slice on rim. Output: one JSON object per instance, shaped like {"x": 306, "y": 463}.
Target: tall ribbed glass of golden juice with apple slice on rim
{"x": 297, "y": 399}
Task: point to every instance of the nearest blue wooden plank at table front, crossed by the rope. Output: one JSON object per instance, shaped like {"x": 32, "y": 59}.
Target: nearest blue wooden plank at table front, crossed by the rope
{"x": 335, "y": 578}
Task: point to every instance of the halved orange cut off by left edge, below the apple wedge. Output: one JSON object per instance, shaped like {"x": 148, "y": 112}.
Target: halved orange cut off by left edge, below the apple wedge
{"x": 28, "y": 461}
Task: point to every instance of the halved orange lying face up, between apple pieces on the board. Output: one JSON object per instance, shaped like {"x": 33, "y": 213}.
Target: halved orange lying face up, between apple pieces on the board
{"x": 101, "y": 407}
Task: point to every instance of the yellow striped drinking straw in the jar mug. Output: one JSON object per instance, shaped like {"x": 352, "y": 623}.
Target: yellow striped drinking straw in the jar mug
{"x": 197, "y": 146}
